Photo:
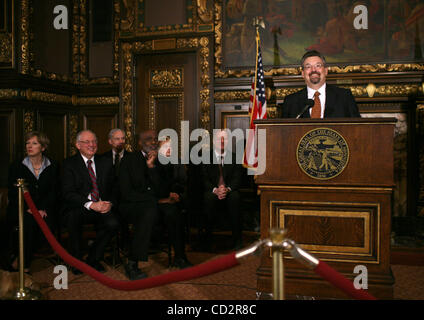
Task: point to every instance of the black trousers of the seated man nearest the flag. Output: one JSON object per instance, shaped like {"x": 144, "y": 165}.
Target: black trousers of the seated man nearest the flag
{"x": 231, "y": 204}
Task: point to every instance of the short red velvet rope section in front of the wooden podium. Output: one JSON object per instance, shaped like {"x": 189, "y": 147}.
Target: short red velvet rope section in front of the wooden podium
{"x": 339, "y": 281}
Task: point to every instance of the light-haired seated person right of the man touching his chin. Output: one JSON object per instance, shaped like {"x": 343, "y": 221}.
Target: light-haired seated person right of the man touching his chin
{"x": 172, "y": 198}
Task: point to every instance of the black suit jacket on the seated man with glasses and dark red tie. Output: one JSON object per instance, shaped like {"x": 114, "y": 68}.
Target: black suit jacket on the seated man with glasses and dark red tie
{"x": 76, "y": 184}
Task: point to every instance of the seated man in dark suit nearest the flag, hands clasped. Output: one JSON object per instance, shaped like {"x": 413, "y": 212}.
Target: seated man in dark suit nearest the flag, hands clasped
{"x": 221, "y": 180}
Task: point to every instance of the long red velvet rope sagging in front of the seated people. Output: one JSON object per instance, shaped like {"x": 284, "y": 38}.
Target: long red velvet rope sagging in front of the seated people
{"x": 204, "y": 269}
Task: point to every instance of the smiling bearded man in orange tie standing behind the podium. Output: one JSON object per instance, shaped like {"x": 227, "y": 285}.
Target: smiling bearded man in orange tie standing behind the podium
{"x": 319, "y": 99}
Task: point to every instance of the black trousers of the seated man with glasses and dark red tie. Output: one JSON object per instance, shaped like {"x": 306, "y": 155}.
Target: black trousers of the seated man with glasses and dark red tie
{"x": 106, "y": 226}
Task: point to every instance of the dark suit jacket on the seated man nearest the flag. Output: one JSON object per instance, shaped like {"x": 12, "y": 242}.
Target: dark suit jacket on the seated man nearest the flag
{"x": 232, "y": 173}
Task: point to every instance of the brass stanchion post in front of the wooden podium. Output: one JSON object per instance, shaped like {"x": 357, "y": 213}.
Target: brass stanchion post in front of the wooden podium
{"x": 277, "y": 237}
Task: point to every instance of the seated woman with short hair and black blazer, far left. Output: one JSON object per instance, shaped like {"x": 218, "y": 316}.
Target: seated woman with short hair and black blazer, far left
{"x": 41, "y": 176}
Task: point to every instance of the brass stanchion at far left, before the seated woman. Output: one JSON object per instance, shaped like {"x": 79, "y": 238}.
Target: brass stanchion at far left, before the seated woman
{"x": 23, "y": 293}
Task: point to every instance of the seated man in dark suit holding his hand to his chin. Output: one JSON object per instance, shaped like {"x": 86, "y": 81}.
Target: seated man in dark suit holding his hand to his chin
{"x": 139, "y": 181}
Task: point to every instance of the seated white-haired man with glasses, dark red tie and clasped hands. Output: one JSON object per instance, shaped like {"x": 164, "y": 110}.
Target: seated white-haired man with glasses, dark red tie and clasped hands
{"x": 89, "y": 196}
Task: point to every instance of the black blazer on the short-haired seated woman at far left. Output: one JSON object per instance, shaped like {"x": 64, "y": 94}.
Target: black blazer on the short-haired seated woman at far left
{"x": 44, "y": 191}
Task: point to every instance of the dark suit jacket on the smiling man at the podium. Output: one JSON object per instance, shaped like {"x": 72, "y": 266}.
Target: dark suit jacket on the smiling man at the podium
{"x": 339, "y": 103}
